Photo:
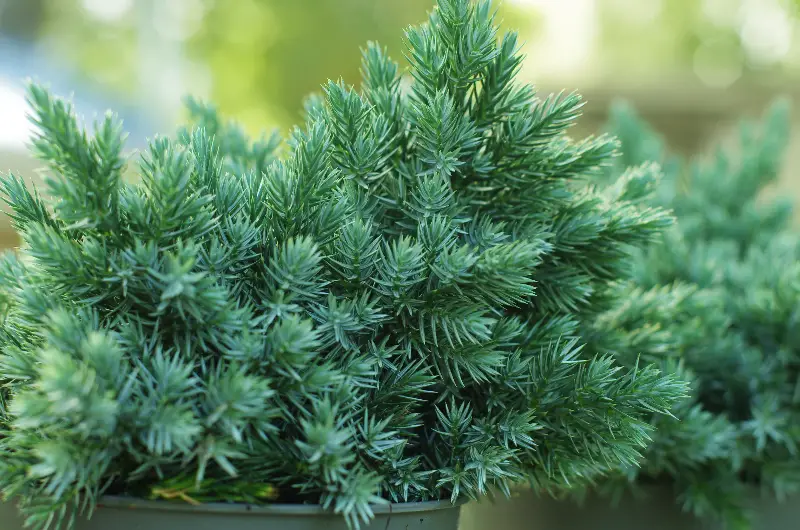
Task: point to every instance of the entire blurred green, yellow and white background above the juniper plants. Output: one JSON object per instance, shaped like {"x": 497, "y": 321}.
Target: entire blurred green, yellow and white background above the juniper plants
{"x": 692, "y": 67}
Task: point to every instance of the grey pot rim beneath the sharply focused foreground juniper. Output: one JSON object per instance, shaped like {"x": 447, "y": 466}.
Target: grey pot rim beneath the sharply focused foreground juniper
{"x": 311, "y": 510}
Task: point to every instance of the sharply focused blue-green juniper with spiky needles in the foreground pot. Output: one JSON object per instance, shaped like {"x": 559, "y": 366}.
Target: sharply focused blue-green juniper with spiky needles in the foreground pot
{"x": 391, "y": 308}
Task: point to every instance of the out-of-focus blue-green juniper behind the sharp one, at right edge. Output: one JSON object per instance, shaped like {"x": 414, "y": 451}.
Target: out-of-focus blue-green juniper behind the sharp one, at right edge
{"x": 729, "y": 280}
